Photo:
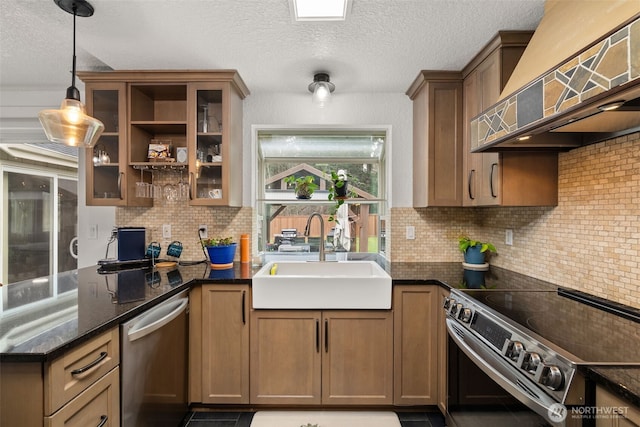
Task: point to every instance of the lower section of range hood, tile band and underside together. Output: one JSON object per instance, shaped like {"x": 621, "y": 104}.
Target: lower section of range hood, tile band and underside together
{"x": 560, "y": 109}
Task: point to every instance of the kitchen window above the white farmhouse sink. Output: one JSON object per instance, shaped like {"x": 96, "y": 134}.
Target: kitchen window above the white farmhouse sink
{"x": 299, "y": 153}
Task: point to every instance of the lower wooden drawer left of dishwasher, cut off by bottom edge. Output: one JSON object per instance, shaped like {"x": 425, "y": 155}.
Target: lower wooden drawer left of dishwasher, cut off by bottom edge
{"x": 97, "y": 406}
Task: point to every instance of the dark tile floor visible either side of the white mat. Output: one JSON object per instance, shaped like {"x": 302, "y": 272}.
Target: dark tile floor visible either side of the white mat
{"x": 243, "y": 419}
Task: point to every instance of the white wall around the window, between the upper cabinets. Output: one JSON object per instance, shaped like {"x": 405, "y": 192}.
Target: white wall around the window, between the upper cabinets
{"x": 394, "y": 109}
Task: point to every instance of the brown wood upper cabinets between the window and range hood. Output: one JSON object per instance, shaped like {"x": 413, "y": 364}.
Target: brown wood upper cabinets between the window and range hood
{"x": 445, "y": 171}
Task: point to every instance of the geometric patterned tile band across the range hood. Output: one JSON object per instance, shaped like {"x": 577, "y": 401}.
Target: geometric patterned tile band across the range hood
{"x": 608, "y": 63}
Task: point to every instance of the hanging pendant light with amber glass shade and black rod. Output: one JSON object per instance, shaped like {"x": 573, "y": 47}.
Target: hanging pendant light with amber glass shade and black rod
{"x": 70, "y": 125}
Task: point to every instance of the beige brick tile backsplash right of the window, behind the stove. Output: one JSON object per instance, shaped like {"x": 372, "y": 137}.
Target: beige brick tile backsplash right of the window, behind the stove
{"x": 590, "y": 241}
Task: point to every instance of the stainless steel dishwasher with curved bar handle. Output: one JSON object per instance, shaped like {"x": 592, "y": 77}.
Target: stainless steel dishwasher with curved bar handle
{"x": 153, "y": 365}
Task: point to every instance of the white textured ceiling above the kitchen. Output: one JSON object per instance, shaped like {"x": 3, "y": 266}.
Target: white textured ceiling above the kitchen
{"x": 379, "y": 48}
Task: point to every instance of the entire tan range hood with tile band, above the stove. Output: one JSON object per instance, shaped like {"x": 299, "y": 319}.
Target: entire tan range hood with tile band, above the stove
{"x": 567, "y": 106}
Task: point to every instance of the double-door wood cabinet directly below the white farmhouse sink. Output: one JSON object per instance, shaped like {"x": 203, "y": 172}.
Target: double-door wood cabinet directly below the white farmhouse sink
{"x": 322, "y": 357}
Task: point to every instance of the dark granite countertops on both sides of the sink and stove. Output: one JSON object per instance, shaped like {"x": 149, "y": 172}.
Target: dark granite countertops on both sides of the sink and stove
{"x": 41, "y": 319}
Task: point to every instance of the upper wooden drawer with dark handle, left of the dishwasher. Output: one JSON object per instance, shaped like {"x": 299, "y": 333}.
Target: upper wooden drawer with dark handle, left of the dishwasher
{"x": 70, "y": 374}
